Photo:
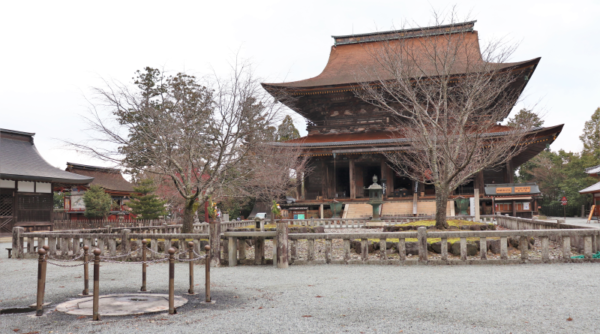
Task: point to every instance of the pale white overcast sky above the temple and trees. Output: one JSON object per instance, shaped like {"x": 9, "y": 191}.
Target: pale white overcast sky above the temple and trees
{"x": 52, "y": 52}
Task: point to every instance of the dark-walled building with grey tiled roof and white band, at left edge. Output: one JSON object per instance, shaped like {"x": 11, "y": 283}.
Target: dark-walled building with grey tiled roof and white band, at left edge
{"x": 27, "y": 182}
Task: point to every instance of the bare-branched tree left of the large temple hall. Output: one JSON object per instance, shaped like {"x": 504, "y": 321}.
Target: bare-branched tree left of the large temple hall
{"x": 201, "y": 137}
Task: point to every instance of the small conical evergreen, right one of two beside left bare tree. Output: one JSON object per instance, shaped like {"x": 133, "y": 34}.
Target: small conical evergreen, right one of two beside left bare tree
{"x": 144, "y": 203}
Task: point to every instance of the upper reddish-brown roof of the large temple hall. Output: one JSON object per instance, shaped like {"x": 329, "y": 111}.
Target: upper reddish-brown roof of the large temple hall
{"x": 352, "y": 59}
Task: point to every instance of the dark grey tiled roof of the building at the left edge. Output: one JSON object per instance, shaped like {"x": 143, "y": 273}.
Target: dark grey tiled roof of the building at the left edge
{"x": 20, "y": 160}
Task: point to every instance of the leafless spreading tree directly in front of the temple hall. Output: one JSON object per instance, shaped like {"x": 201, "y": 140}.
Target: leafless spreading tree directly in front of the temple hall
{"x": 447, "y": 97}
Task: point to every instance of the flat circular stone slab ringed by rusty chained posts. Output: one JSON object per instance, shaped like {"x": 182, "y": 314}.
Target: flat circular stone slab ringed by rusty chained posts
{"x": 116, "y": 305}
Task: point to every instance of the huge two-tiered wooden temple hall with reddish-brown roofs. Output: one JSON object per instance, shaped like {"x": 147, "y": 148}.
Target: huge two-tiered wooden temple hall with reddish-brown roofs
{"x": 347, "y": 137}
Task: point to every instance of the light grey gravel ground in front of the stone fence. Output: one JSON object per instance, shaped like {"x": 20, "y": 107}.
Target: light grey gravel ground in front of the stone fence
{"x": 326, "y": 299}
